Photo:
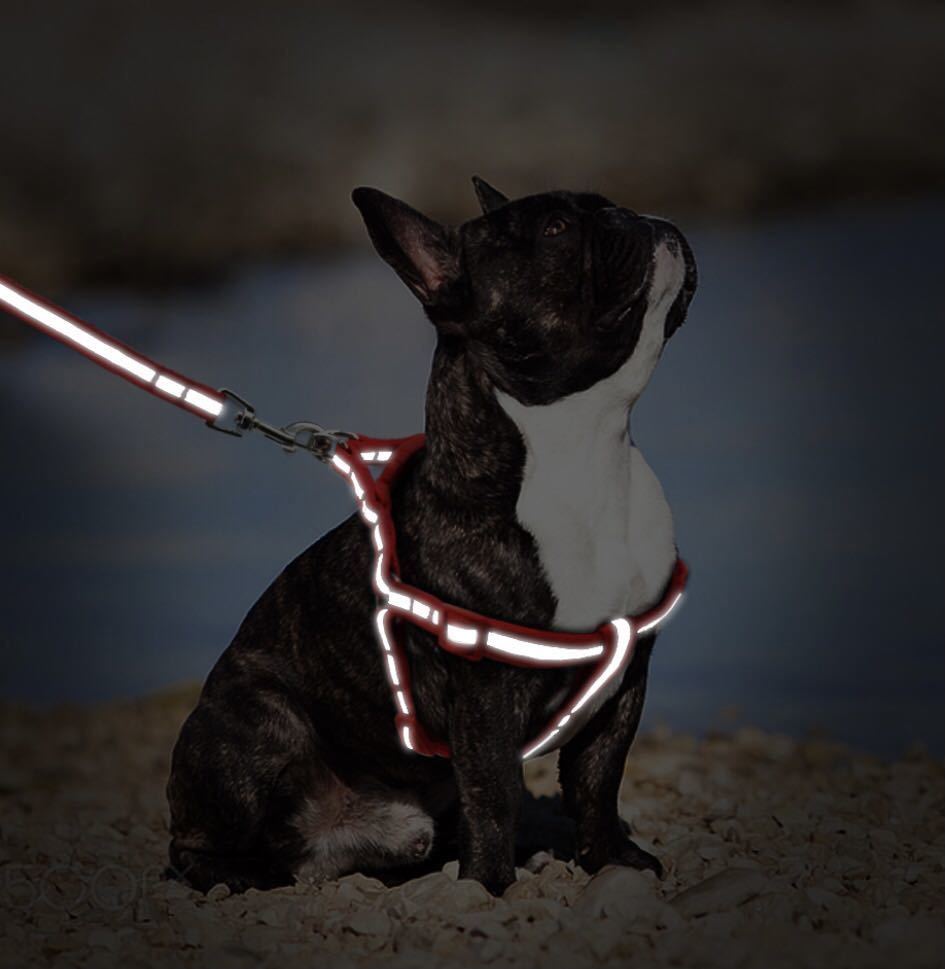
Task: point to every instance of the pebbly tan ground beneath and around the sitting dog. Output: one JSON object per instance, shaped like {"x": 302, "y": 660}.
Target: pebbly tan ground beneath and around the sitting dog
{"x": 778, "y": 853}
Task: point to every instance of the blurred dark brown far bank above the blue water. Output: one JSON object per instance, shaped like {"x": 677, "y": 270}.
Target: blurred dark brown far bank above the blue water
{"x": 147, "y": 140}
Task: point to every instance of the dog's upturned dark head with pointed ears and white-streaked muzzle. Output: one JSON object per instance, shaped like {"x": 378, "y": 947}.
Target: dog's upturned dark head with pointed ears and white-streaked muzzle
{"x": 547, "y": 294}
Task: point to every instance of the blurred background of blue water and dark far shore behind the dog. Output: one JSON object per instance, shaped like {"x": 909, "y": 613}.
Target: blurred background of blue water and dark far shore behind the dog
{"x": 180, "y": 176}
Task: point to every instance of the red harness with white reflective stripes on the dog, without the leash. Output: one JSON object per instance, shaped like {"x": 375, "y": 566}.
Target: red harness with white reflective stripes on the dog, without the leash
{"x": 607, "y": 650}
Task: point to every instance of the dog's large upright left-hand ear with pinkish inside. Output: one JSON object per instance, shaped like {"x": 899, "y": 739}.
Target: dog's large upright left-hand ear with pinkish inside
{"x": 422, "y": 252}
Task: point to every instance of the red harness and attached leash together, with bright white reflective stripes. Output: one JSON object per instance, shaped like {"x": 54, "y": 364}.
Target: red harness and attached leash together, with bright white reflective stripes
{"x": 607, "y": 650}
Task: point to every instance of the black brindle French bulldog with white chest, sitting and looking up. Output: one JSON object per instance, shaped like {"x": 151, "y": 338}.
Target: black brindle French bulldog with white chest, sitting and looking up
{"x": 529, "y": 504}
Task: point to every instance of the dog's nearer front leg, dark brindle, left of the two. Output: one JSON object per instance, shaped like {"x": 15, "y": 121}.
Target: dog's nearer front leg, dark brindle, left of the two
{"x": 488, "y": 770}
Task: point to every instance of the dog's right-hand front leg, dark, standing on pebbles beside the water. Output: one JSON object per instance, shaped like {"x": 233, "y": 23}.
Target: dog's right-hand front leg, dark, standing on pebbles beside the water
{"x": 590, "y": 768}
